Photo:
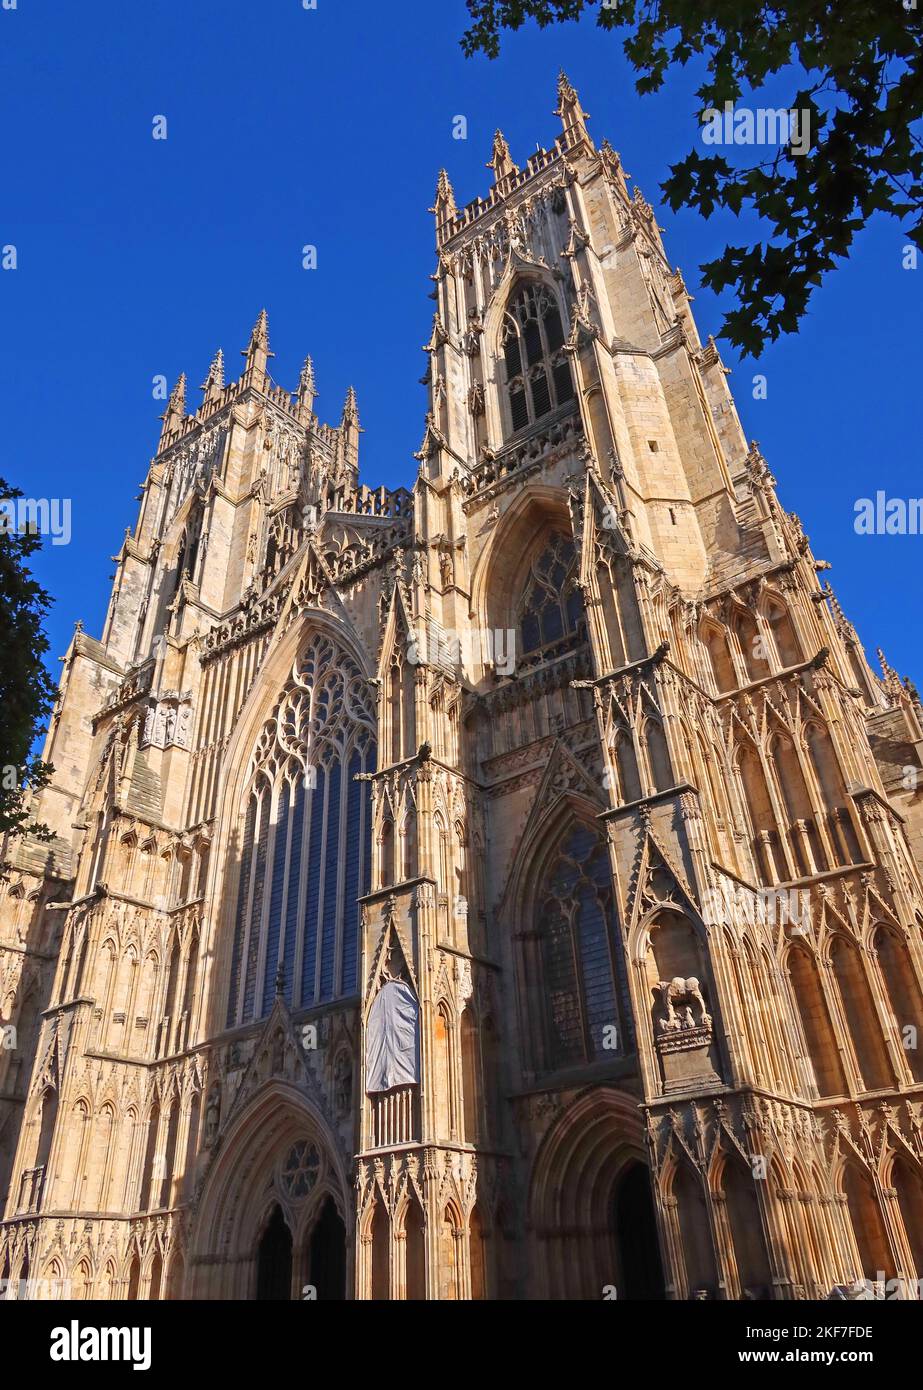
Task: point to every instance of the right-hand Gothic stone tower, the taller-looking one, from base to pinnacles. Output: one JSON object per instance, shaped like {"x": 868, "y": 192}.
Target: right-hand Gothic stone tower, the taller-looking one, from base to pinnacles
{"x": 636, "y": 856}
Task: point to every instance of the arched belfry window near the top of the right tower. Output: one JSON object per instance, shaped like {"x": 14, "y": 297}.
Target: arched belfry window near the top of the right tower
{"x": 539, "y": 376}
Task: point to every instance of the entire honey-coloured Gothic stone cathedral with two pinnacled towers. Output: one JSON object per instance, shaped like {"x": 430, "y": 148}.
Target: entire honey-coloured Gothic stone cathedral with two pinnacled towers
{"x": 505, "y": 888}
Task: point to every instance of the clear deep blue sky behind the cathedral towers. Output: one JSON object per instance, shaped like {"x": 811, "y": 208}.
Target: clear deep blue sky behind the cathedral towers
{"x": 329, "y": 127}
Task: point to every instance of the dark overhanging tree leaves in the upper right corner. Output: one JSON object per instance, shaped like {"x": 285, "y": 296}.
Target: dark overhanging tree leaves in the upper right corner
{"x": 863, "y": 70}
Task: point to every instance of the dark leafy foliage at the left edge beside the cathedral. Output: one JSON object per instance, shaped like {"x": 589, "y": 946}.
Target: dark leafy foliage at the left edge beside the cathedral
{"x": 27, "y": 693}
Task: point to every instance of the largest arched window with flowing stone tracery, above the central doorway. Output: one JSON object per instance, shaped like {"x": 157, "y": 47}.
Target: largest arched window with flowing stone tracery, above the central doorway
{"x": 307, "y": 840}
